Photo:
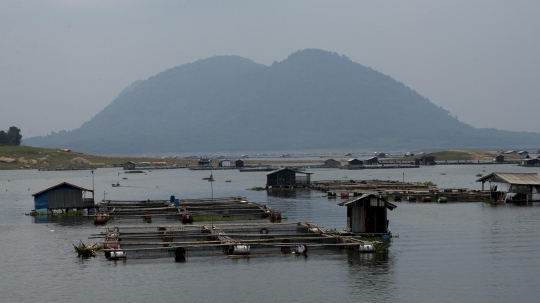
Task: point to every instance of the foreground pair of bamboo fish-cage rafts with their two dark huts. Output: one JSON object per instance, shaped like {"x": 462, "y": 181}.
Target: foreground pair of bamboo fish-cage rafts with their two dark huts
{"x": 170, "y": 227}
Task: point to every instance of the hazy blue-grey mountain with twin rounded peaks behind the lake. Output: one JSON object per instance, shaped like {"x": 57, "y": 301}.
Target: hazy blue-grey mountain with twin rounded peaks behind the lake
{"x": 314, "y": 99}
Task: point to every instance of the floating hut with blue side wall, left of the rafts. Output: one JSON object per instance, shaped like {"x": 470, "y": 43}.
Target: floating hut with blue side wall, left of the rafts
{"x": 64, "y": 196}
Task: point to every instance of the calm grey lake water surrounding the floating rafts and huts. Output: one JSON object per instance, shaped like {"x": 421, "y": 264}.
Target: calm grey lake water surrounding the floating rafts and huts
{"x": 468, "y": 252}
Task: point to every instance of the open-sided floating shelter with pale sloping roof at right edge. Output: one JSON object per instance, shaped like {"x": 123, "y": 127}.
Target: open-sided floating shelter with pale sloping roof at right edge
{"x": 513, "y": 187}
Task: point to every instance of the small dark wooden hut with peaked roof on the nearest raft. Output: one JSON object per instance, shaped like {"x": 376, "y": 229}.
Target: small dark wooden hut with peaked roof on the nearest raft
{"x": 366, "y": 214}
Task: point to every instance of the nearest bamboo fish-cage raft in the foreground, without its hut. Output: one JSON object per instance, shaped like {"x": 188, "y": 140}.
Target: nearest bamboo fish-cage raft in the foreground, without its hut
{"x": 232, "y": 239}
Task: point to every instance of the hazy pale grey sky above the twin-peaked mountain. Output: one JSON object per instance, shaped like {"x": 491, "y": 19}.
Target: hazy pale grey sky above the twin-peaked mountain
{"x": 63, "y": 61}
